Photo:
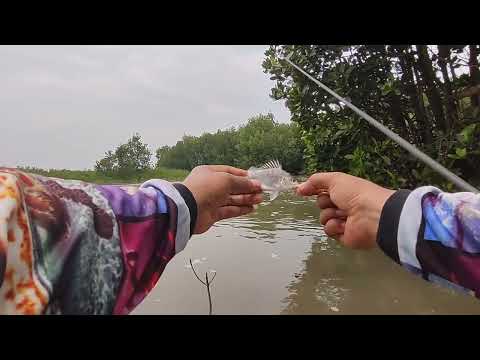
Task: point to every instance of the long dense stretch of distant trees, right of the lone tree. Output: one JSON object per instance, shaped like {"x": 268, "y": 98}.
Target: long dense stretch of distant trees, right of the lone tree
{"x": 258, "y": 141}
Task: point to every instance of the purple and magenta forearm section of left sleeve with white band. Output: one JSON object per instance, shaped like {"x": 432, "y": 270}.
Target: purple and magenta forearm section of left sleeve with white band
{"x": 154, "y": 225}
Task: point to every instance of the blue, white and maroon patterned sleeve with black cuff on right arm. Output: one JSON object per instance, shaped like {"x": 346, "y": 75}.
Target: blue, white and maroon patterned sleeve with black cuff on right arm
{"x": 435, "y": 235}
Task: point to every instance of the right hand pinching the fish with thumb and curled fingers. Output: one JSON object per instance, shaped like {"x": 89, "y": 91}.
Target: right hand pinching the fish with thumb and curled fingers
{"x": 351, "y": 207}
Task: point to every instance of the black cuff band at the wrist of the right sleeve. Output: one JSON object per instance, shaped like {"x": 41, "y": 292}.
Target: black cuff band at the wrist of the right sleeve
{"x": 388, "y": 226}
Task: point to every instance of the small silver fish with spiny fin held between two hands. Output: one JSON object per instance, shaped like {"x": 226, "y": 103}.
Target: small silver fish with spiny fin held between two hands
{"x": 273, "y": 178}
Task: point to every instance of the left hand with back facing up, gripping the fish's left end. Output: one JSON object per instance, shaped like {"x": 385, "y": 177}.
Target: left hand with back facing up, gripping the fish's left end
{"x": 221, "y": 192}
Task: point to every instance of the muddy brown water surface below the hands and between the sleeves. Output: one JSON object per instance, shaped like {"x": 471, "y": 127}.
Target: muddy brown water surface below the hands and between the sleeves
{"x": 279, "y": 261}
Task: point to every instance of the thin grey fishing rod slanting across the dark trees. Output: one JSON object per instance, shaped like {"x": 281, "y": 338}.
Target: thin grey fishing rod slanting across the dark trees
{"x": 462, "y": 184}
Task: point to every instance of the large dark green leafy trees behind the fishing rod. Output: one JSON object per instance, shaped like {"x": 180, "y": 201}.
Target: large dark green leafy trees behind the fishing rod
{"x": 383, "y": 81}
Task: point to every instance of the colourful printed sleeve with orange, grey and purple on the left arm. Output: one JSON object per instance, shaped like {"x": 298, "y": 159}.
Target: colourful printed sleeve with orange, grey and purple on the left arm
{"x": 70, "y": 247}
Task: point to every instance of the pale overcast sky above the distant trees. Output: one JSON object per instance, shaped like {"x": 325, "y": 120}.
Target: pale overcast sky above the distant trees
{"x": 64, "y": 106}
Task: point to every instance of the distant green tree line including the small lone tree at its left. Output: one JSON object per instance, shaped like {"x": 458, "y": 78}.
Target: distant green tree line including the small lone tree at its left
{"x": 260, "y": 140}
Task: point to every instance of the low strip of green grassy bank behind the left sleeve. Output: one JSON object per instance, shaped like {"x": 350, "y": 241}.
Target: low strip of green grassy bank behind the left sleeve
{"x": 99, "y": 178}
